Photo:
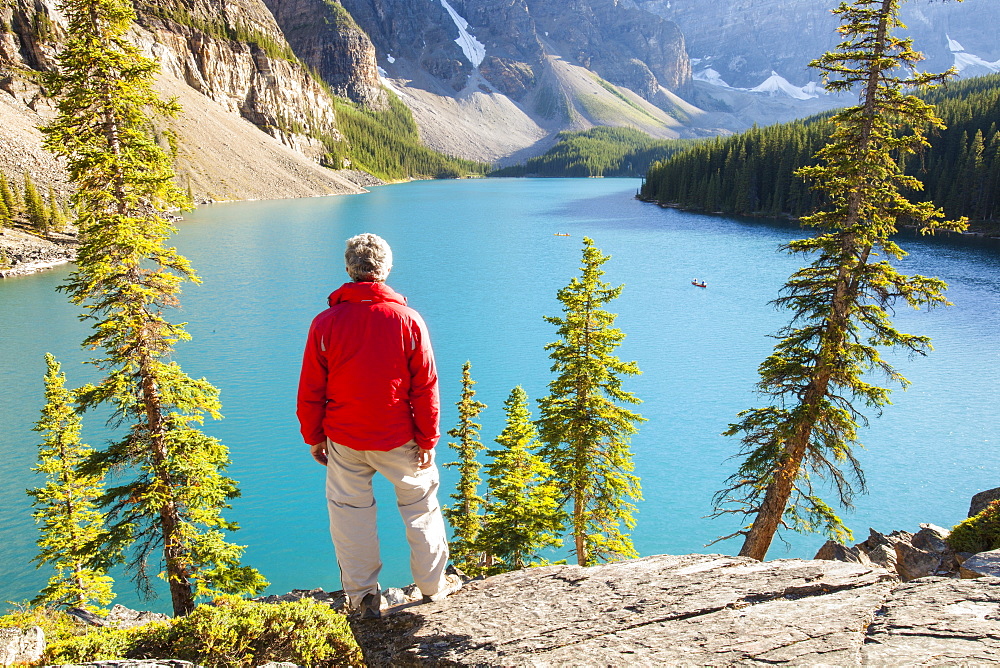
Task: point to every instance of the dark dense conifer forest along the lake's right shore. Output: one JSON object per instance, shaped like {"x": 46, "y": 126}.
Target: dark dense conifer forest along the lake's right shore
{"x": 751, "y": 173}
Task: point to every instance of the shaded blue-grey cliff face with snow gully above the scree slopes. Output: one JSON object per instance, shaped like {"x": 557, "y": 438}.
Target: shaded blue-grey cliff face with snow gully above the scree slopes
{"x": 625, "y": 45}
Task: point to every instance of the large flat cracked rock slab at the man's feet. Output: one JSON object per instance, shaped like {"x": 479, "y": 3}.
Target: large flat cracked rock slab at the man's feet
{"x": 691, "y": 609}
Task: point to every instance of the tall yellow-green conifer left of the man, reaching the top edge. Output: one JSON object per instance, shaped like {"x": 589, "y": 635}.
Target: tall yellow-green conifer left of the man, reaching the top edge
{"x": 171, "y": 489}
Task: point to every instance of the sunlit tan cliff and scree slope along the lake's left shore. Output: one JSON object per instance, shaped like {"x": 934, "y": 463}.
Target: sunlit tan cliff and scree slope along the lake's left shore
{"x": 235, "y": 76}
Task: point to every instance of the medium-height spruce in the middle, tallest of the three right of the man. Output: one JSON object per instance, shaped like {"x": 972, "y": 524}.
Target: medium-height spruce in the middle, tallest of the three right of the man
{"x": 584, "y": 427}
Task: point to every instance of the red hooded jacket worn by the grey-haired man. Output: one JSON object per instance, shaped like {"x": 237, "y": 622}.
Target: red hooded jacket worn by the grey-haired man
{"x": 368, "y": 376}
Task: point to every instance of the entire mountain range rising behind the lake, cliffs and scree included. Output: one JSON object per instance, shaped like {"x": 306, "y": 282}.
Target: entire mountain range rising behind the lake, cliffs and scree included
{"x": 488, "y": 80}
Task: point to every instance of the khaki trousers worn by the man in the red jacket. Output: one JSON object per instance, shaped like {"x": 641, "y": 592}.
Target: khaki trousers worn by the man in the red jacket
{"x": 353, "y": 526}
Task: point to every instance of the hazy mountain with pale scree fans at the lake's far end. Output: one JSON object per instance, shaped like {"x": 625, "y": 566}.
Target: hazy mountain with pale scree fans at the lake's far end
{"x": 495, "y": 80}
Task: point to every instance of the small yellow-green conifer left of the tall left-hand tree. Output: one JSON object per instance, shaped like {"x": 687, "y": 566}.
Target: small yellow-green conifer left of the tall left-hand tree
{"x": 71, "y": 526}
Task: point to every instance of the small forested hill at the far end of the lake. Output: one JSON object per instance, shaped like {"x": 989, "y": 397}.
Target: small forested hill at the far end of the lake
{"x": 600, "y": 151}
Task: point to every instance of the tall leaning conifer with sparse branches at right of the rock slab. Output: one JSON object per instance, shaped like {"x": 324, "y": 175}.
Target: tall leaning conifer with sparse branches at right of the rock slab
{"x": 819, "y": 375}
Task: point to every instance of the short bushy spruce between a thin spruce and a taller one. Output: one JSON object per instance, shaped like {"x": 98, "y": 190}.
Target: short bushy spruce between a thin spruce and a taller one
{"x": 523, "y": 514}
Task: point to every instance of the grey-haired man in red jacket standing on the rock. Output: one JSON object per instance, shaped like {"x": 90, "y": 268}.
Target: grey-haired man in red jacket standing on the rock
{"x": 368, "y": 401}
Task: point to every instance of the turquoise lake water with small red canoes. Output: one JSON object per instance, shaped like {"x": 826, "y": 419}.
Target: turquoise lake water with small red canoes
{"x": 480, "y": 260}
